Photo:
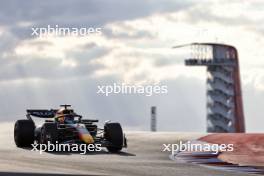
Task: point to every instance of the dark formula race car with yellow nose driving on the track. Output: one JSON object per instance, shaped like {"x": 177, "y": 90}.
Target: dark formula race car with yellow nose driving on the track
{"x": 65, "y": 126}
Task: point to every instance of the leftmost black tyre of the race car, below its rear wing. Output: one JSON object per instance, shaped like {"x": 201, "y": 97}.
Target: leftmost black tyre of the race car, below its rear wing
{"x": 24, "y": 133}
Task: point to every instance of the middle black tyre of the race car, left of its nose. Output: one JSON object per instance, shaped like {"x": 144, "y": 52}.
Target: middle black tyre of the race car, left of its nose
{"x": 49, "y": 132}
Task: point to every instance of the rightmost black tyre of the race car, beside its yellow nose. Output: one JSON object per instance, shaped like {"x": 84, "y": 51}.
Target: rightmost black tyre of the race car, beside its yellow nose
{"x": 113, "y": 133}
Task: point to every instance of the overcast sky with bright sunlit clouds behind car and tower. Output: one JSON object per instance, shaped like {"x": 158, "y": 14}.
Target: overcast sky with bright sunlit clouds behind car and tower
{"x": 135, "y": 47}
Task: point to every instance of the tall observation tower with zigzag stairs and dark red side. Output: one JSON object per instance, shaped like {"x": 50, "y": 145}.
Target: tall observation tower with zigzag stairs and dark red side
{"x": 224, "y": 97}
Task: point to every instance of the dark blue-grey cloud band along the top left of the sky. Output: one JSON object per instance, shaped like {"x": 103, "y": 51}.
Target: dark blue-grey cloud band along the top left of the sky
{"x": 78, "y": 13}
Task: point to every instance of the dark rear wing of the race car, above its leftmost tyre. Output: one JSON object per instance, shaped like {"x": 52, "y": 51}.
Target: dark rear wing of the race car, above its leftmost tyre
{"x": 41, "y": 113}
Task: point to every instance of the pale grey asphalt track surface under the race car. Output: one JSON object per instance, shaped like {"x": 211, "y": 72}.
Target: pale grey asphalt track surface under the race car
{"x": 144, "y": 156}
